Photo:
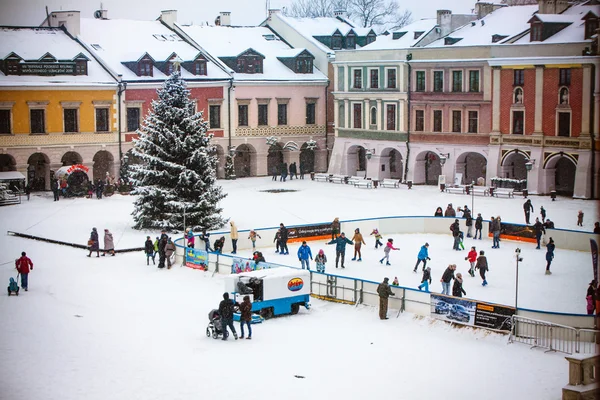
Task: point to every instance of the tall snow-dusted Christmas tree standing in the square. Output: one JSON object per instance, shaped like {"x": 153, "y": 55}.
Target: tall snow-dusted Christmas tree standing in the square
{"x": 177, "y": 170}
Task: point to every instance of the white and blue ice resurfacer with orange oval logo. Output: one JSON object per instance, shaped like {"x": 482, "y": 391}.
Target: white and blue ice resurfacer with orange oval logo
{"x": 273, "y": 292}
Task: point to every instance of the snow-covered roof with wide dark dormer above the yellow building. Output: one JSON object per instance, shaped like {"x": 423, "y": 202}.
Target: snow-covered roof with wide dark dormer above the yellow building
{"x": 31, "y": 44}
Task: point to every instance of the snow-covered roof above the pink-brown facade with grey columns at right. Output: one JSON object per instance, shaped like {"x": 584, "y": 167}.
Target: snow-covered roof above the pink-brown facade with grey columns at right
{"x": 505, "y": 22}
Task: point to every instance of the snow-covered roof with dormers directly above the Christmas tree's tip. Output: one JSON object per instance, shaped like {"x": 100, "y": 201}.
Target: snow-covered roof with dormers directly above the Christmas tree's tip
{"x": 118, "y": 41}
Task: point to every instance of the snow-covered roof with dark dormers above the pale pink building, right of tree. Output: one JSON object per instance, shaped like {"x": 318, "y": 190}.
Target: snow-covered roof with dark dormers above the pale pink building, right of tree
{"x": 228, "y": 41}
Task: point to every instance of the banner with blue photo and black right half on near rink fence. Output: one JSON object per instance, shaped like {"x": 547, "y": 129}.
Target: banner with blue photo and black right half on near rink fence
{"x": 471, "y": 312}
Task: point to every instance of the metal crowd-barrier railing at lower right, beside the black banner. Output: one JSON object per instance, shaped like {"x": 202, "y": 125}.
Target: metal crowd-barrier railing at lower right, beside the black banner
{"x": 553, "y": 337}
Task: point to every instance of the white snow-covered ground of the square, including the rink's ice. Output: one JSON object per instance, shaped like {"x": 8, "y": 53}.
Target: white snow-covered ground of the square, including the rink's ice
{"x": 114, "y": 328}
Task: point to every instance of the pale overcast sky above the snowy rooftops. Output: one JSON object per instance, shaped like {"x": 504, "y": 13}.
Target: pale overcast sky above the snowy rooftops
{"x": 243, "y": 12}
